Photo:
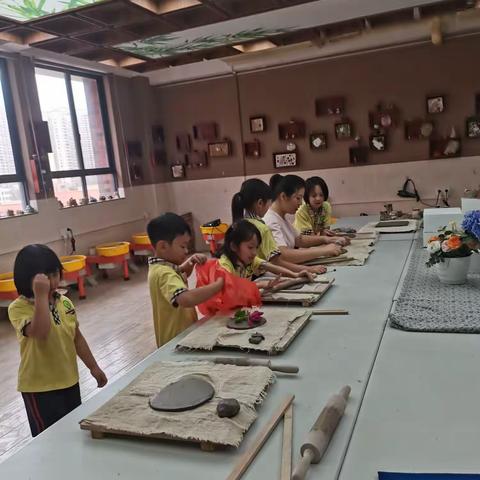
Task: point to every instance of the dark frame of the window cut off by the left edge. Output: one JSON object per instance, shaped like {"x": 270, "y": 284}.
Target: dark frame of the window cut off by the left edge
{"x": 19, "y": 176}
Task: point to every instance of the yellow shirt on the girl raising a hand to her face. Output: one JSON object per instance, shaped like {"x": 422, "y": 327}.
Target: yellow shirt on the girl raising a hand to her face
{"x": 49, "y": 364}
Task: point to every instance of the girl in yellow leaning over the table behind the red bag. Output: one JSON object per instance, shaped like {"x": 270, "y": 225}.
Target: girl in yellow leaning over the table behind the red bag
{"x": 242, "y": 241}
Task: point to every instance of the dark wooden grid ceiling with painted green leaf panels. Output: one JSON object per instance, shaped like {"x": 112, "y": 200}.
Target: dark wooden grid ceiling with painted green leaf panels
{"x": 147, "y": 35}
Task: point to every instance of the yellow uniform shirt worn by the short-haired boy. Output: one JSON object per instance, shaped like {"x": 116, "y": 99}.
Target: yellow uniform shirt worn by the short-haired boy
{"x": 166, "y": 283}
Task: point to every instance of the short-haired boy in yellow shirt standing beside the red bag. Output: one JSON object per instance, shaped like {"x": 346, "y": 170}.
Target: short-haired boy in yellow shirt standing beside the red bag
{"x": 173, "y": 304}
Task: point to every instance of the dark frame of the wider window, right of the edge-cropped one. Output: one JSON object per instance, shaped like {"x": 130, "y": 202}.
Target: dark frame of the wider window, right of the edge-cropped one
{"x": 83, "y": 172}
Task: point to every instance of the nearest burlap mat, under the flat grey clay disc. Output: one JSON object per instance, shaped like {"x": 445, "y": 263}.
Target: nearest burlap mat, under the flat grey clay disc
{"x": 129, "y": 411}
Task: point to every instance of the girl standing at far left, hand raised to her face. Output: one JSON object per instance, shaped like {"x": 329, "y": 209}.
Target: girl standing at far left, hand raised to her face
{"x": 50, "y": 340}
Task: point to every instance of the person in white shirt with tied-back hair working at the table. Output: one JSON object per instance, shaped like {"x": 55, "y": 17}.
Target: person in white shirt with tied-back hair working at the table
{"x": 288, "y": 194}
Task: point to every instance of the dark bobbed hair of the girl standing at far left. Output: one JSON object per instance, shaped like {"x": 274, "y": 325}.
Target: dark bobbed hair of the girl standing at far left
{"x": 30, "y": 261}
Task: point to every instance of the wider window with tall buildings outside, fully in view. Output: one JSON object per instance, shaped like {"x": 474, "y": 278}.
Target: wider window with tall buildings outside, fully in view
{"x": 81, "y": 161}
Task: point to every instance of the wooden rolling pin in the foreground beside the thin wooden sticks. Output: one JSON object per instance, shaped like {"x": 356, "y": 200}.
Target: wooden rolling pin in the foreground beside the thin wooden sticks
{"x": 321, "y": 433}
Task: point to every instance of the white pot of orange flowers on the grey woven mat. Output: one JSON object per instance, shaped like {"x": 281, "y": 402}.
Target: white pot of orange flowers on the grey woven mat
{"x": 450, "y": 253}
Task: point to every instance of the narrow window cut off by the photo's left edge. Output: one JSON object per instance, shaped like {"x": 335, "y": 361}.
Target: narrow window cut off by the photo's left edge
{"x": 13, "y": 188}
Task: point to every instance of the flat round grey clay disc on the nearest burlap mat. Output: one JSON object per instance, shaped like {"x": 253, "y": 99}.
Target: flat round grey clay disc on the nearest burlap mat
{"x": 186, "y": 394}
